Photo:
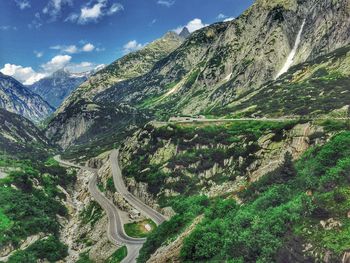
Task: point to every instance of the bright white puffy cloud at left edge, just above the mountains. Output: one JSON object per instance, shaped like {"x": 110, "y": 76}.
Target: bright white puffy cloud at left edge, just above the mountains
{"x": 26, "y": 75}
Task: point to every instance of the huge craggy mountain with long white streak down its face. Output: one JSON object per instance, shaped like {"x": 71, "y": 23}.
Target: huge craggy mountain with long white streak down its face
{"x": 220, "y": 63}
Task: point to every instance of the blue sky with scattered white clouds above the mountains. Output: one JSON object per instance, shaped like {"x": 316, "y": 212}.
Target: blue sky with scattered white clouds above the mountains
{"x": 38, "y": 37}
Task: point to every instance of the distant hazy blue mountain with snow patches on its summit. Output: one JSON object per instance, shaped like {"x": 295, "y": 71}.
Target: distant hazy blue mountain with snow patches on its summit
{"x": 55, "y": 88}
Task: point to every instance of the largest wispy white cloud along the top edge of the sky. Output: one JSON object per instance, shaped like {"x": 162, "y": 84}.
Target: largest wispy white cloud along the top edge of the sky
{"x": 92, "y": 13}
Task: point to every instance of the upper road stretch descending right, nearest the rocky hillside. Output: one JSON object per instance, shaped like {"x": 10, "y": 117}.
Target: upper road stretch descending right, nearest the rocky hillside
{"x": 157, "y": 217}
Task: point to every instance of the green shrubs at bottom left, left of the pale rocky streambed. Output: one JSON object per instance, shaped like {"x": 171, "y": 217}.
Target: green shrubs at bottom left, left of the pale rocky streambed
{"x": 30, "y": 203}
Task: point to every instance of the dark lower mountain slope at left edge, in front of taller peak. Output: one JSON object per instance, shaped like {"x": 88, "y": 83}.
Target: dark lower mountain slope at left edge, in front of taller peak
{"x": 20, "y": 137}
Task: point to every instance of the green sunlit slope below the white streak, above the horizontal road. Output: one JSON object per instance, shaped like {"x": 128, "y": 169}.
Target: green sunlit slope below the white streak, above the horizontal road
{"x": 319, "y": 87}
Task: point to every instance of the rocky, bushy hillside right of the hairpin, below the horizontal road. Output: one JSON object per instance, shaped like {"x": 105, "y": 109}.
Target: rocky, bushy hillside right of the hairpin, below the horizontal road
{"x": 270, "y": 189}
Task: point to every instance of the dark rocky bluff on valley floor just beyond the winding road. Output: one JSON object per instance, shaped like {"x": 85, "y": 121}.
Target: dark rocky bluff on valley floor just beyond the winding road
{"x": 97, "y": 124}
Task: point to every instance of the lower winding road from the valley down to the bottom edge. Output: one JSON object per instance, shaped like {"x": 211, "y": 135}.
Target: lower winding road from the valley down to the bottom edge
{"x": 115, "y": 230}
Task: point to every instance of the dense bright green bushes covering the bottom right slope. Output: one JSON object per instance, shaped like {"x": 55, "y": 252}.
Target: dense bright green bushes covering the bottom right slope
{"x": 276, "y": 209}
